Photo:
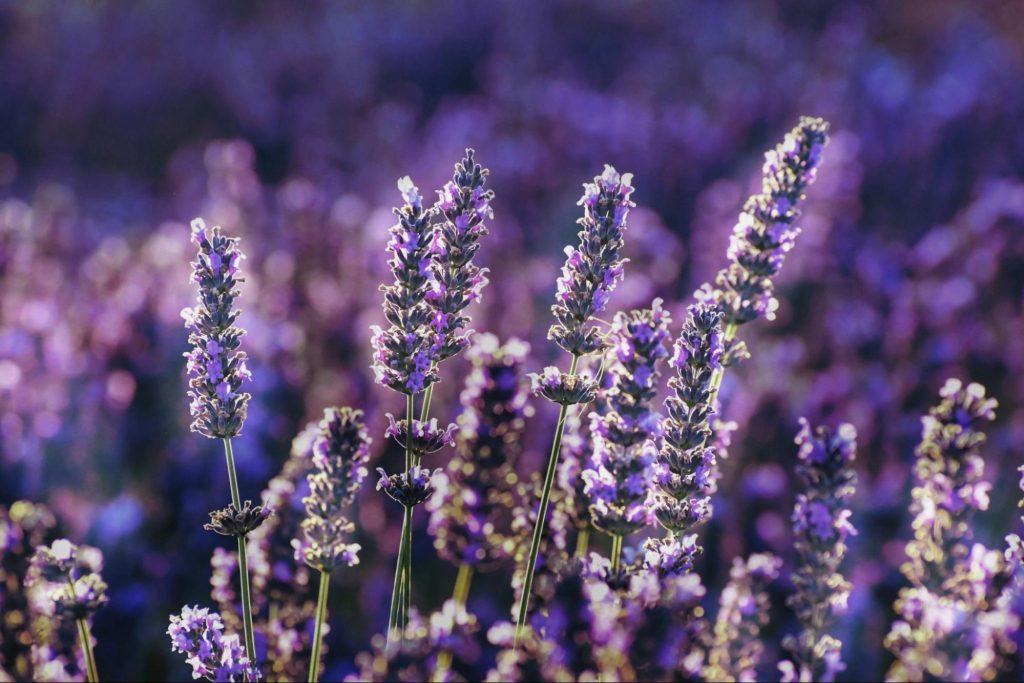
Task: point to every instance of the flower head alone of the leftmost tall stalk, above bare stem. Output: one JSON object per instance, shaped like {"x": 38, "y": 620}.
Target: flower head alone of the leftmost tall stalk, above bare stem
{"x": 216, "y": 364}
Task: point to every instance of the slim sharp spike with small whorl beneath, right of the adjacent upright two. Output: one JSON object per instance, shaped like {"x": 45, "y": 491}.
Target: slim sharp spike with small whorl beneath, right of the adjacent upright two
{"x": 687, "y": 459}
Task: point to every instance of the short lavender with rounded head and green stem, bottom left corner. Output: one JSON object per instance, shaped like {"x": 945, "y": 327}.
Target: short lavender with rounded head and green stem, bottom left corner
{"x": 70, "y": 577}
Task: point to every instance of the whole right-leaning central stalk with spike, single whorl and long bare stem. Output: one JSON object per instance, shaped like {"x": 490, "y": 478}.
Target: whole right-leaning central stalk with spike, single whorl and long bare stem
{"x": 590, "y": 275}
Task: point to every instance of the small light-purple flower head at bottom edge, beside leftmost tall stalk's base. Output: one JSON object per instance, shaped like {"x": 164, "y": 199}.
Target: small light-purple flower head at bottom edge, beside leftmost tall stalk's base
{"x": 199, "y": 635}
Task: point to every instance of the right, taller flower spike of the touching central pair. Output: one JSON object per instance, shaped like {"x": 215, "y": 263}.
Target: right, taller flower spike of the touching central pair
{"x": 457, "y": 282}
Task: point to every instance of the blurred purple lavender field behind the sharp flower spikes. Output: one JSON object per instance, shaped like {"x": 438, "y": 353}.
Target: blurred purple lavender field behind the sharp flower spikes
{"x": 288, "y": 124}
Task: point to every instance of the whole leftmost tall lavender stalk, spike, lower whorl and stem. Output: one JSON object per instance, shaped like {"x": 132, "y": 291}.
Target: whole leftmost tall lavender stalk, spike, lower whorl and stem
{"x": 218, "y": 372}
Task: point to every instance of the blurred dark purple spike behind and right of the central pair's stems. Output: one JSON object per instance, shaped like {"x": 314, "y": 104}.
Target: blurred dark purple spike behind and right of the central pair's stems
{"x": 471, "y": 517}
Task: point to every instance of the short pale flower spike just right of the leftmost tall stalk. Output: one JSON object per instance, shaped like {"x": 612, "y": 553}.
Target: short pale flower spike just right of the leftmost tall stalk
{"x": 340, "y": 455}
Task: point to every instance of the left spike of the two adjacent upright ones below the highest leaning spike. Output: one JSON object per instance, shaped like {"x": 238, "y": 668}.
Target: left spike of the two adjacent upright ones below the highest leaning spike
{"x": 621, "y": 473}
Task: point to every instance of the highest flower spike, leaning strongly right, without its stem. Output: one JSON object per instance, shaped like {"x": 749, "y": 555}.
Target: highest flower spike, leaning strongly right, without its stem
{"x": 745, "y": 290}
